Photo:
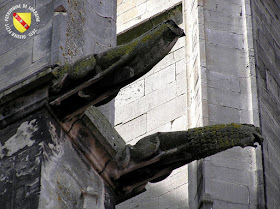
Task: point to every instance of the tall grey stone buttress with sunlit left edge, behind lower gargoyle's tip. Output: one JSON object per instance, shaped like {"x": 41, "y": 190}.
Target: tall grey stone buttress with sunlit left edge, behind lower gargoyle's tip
{"x": 222, "y": 89}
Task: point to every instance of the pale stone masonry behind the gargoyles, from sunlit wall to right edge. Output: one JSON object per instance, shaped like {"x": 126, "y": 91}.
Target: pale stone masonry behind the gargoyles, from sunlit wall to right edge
{"x": 230, "y": 64}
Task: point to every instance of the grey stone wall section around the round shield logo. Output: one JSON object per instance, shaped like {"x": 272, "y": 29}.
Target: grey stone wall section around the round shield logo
{"x": 21, "y": 58}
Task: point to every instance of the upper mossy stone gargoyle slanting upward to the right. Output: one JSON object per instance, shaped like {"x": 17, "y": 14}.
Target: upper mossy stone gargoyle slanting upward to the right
{"x": 97, "y": 79}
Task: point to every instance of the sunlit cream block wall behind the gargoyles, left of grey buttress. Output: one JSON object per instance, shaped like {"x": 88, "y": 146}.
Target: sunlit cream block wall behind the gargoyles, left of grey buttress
{"x": 156, "y": 102}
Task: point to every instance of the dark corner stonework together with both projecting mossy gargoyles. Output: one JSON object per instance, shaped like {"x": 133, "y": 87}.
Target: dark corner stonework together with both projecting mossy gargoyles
{"x": 56, "y": 153}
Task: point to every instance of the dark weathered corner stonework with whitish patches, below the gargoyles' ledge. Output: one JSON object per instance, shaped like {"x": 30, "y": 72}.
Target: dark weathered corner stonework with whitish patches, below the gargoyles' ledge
{"x": 40, "y": 168}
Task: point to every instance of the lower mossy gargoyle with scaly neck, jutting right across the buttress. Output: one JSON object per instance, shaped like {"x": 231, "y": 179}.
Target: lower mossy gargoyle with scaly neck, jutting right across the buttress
{"x": 154, "y": 157}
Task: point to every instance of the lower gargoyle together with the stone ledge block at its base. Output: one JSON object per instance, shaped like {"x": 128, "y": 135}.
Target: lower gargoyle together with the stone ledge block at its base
{"x": 128, "y": 169}
